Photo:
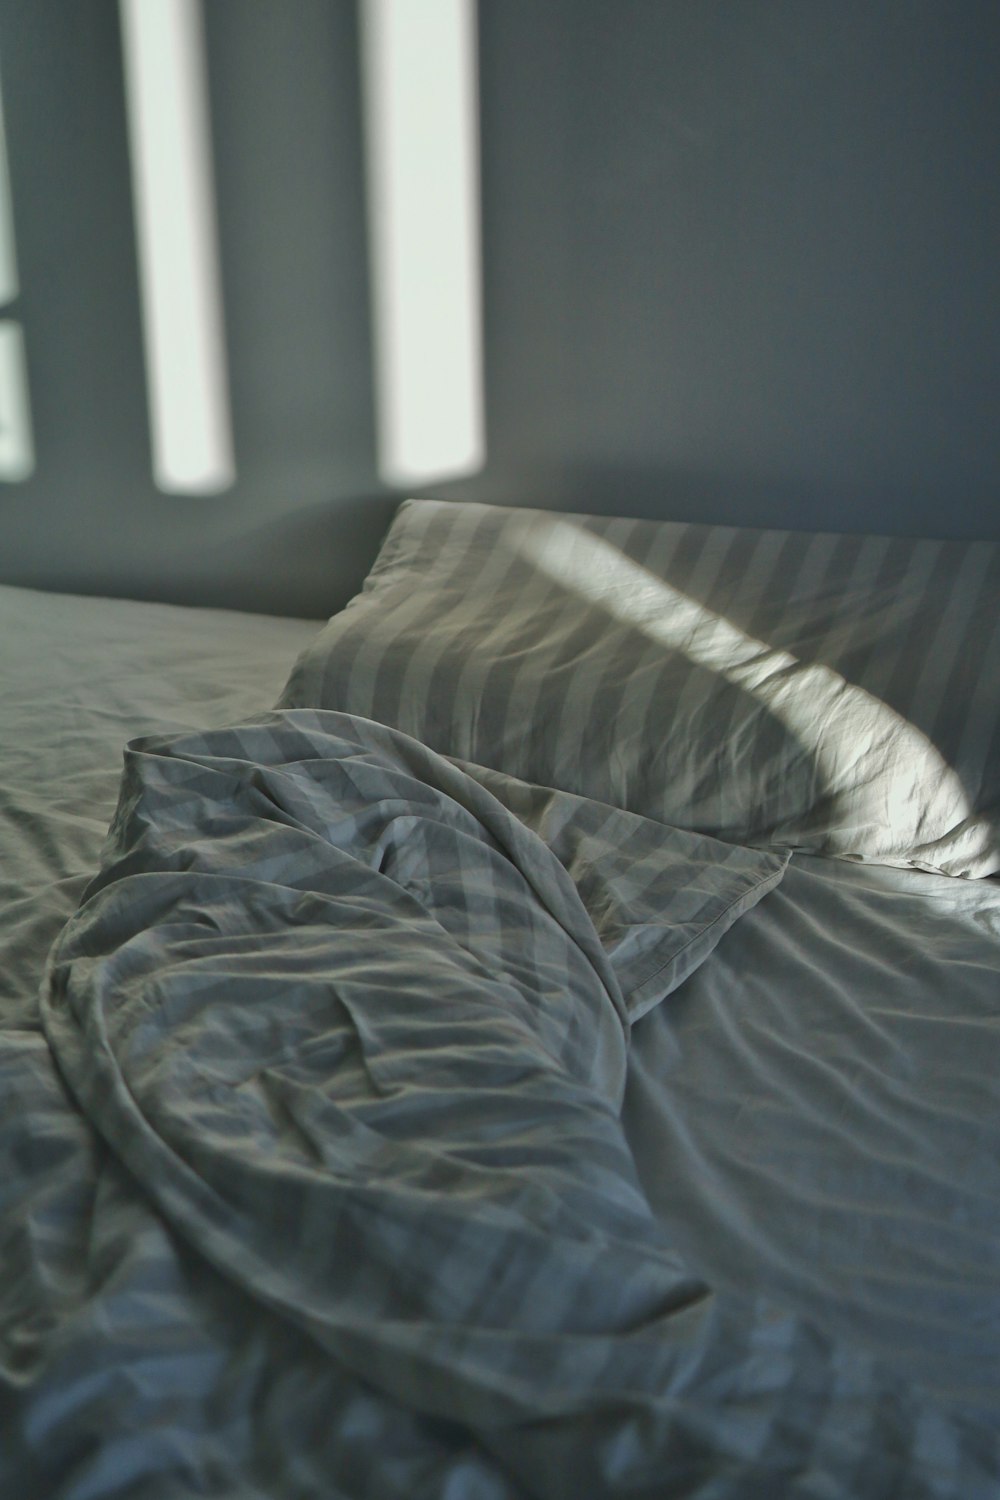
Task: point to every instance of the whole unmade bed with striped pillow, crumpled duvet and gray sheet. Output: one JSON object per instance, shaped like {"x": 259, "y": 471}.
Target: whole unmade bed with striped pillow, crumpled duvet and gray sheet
{"x": 536, "y": 1034}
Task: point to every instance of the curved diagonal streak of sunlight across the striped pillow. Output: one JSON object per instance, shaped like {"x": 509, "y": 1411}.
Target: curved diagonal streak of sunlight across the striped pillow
{"x": 843, "y": 728}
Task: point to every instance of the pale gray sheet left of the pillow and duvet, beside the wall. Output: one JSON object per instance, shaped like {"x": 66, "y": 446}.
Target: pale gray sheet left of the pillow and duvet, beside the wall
{"x": 79, "y": 679}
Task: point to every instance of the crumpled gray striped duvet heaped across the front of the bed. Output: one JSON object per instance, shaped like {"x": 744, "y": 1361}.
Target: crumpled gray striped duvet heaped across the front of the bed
{"x": 352, "y": 1184}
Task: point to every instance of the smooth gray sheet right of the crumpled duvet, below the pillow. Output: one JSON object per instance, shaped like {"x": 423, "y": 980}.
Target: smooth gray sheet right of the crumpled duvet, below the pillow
{"x": 816, "y": 1117}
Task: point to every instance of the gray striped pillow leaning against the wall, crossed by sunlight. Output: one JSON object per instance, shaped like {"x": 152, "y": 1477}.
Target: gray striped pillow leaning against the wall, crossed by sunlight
{"x": 830, "y": 694}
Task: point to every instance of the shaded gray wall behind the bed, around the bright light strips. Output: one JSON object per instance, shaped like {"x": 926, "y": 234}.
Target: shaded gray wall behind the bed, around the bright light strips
{"x": 740, "y": 265}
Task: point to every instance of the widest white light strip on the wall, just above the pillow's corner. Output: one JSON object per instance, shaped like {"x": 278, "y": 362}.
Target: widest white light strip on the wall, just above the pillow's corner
{"x": 424, "y": 188}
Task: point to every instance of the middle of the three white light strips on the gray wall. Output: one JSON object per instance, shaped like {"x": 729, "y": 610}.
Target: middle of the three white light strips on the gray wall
{"x": 176, "y": 230}
